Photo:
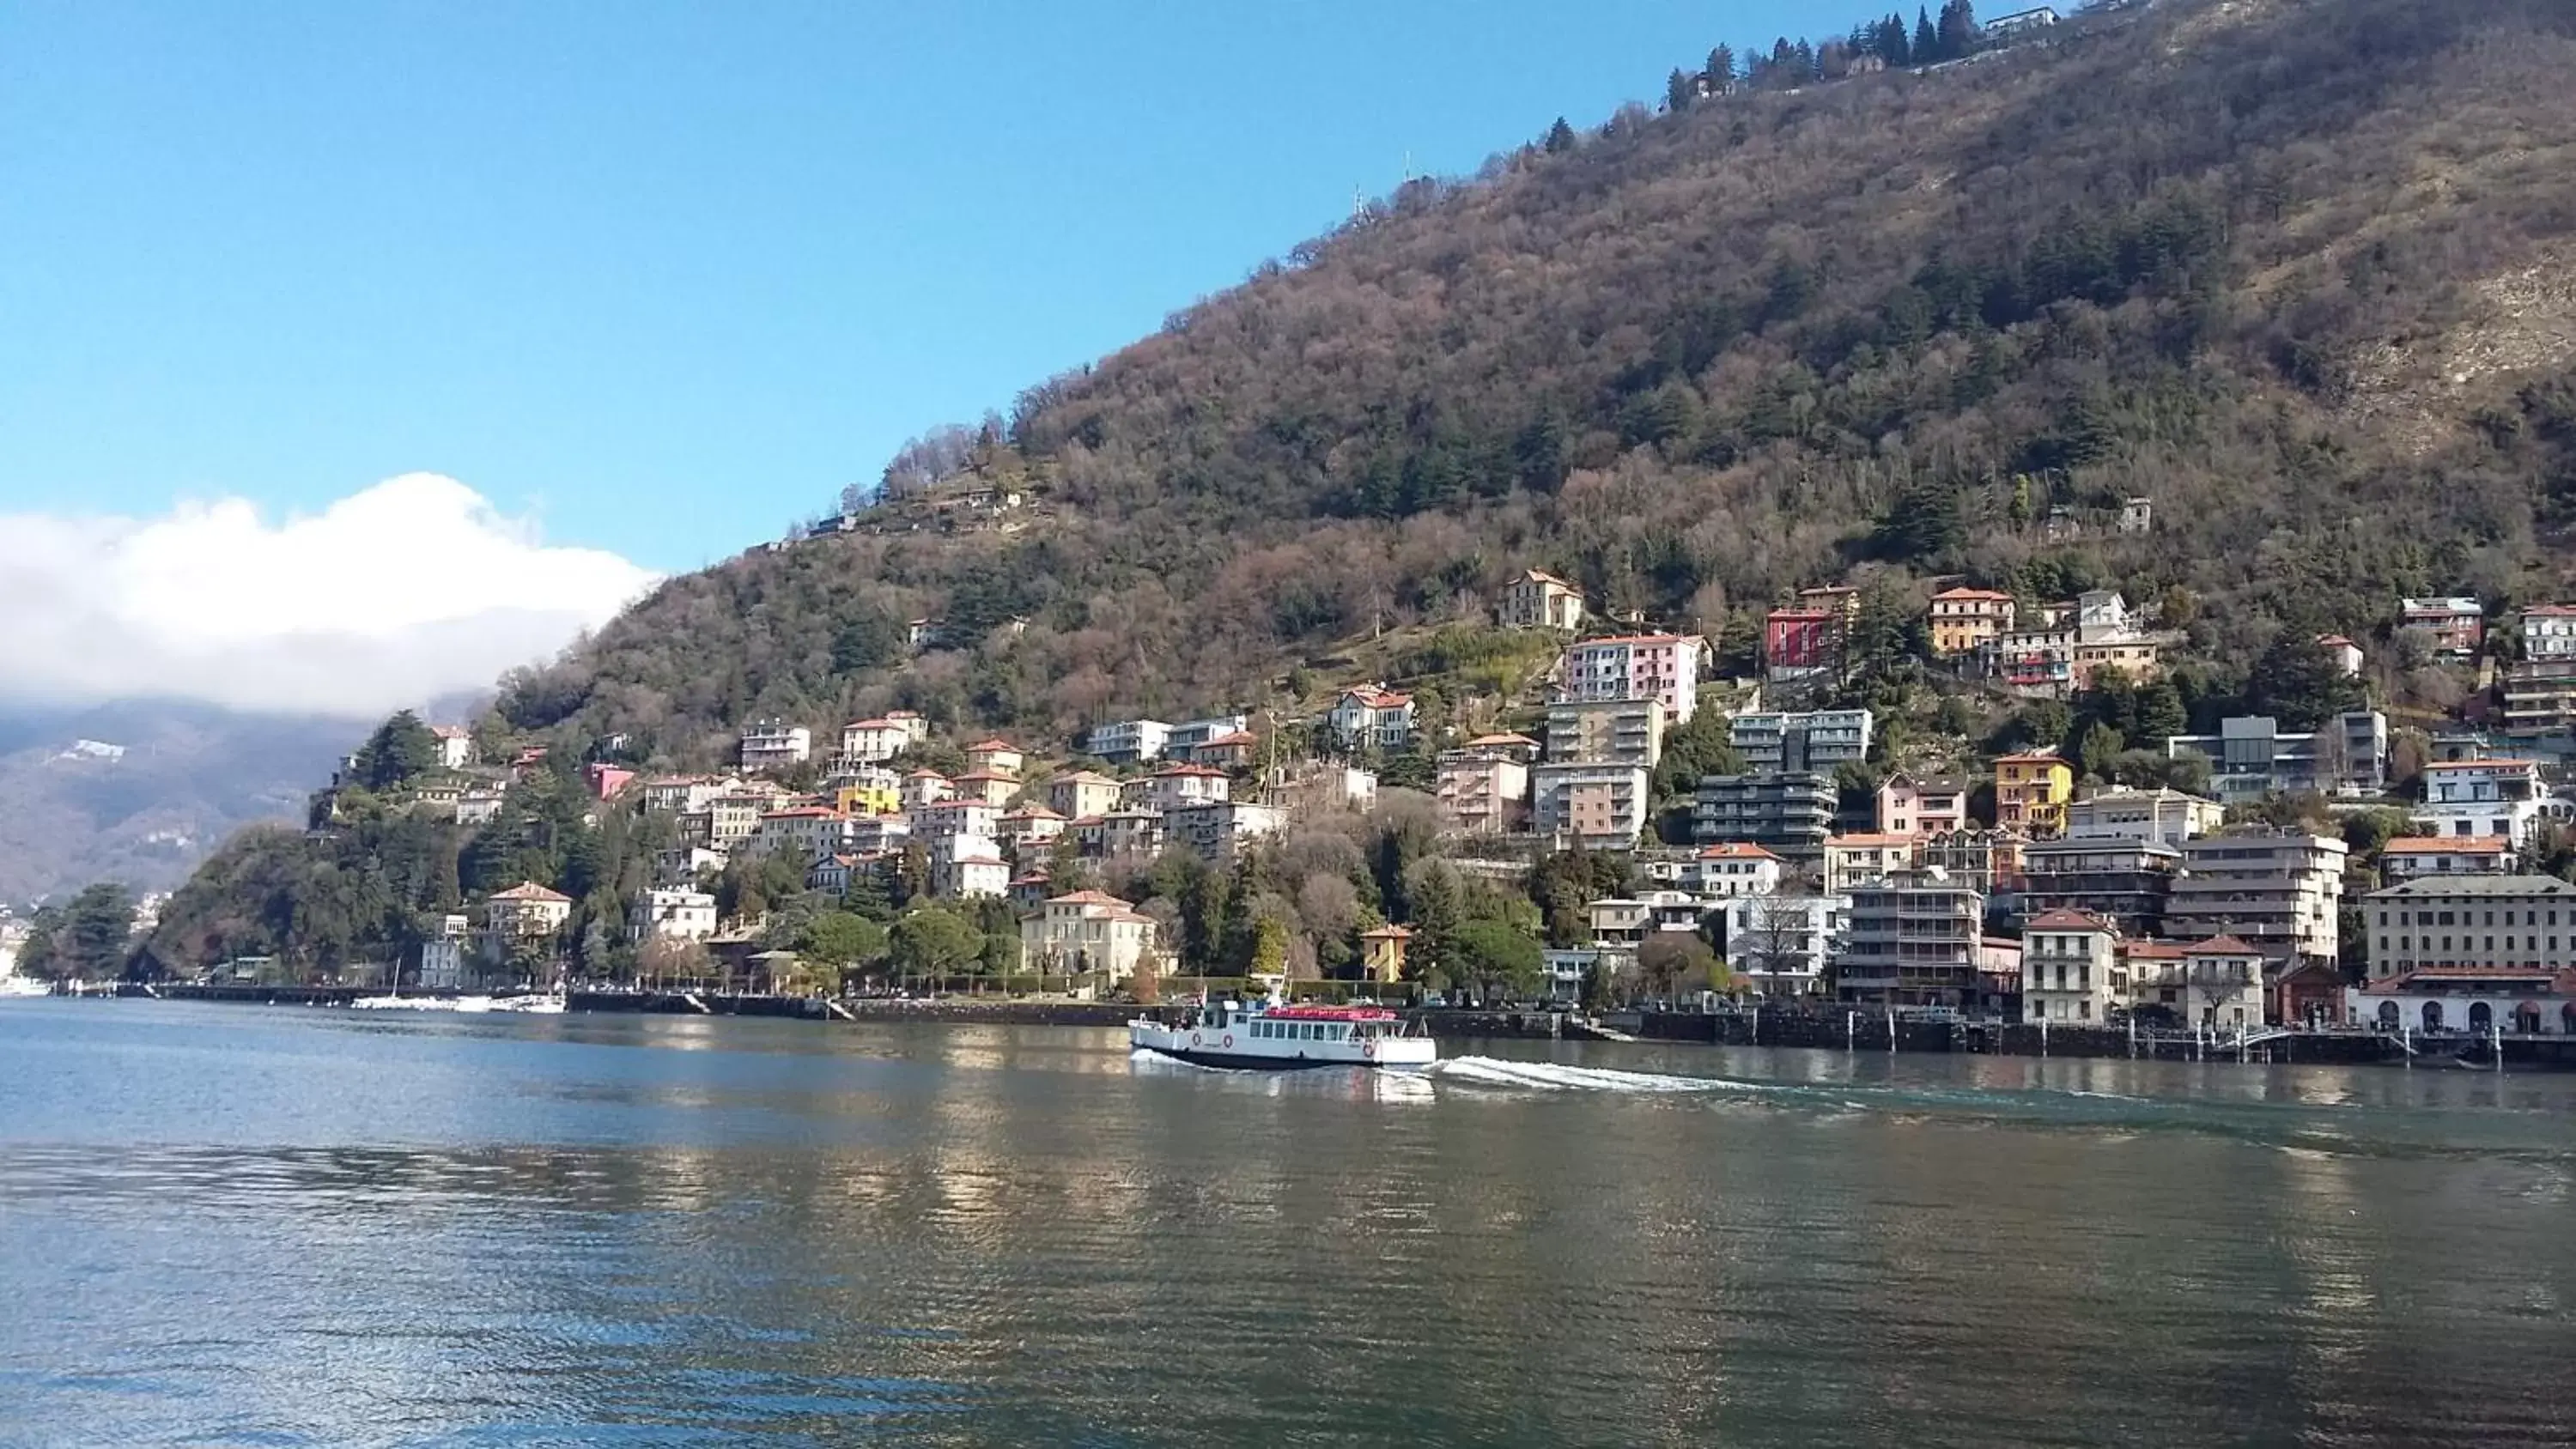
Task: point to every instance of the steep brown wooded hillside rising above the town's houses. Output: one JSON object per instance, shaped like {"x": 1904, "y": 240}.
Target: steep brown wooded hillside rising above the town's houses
{"x": 2294, "y": 272}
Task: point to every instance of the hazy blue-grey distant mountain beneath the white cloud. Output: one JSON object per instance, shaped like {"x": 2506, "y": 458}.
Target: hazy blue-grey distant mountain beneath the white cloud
{"x": 140, "y": 791}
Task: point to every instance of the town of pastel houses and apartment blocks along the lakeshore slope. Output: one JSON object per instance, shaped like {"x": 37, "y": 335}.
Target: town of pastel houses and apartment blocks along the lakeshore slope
{"x": 1642, "y": 827}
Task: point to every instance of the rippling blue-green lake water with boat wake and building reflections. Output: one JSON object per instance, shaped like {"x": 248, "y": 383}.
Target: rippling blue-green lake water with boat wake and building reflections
{"x": 300, "y": 1226}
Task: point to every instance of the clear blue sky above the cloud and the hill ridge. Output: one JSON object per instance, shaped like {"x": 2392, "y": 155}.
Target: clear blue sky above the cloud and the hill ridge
{"x": 668, "y": 277}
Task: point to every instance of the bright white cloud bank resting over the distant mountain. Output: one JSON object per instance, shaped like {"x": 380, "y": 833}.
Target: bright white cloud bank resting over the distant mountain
{"x": 388, "y": 598}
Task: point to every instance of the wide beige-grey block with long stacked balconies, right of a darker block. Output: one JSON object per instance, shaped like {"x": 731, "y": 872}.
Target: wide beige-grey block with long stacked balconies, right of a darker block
{"x": 2278, "y": 892}
